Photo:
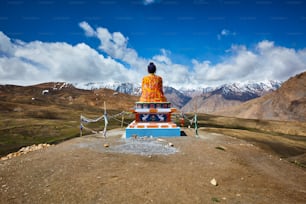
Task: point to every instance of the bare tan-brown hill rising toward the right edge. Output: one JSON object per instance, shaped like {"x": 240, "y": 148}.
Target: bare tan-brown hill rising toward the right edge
{"x": 286, "y": 103}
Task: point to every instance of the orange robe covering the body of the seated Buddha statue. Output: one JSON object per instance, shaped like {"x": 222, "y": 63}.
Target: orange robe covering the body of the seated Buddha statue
{"x": 152, "y": 89}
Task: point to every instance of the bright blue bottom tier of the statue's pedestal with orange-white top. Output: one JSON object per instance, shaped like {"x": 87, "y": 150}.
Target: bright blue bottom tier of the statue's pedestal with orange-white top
{"x": 154, "y": 130}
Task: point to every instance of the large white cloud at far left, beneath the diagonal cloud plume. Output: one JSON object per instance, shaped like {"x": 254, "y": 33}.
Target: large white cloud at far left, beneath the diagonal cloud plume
{"x": 37, "y": 61}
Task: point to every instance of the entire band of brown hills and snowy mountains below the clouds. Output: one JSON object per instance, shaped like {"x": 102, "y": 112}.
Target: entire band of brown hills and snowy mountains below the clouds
{"x": 256, "y": 100}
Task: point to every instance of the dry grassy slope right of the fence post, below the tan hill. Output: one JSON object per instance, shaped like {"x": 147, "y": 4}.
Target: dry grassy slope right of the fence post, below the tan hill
{"x": 285, "y": 139}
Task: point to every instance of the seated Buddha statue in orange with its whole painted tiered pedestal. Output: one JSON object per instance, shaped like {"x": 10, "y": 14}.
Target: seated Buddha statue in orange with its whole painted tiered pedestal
{"x": 152, "y": 111}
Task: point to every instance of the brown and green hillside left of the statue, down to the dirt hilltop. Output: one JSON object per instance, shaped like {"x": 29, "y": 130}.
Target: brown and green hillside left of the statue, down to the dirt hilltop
{"x": 50, "y": 112}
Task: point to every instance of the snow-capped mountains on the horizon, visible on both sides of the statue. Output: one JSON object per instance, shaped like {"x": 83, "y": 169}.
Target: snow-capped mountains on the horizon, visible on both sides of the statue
{"x": 234, "y": 91}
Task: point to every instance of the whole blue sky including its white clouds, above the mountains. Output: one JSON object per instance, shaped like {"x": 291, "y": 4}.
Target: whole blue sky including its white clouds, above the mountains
{"x": 194, "y": 43}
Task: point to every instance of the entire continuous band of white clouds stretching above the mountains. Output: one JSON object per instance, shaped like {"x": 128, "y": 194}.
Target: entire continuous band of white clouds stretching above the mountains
{"x": 33, "y": 62}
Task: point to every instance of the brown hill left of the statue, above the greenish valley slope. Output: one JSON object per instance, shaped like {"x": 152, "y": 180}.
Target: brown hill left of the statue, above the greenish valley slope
{"x": 62, "y": 95}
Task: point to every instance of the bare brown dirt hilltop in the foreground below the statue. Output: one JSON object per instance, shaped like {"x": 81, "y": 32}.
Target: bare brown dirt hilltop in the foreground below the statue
{"x": 82, "y": 170}
